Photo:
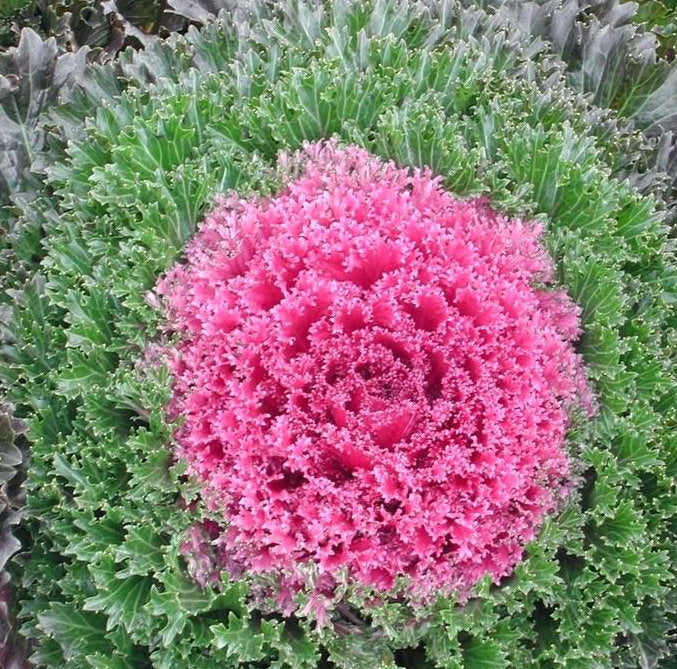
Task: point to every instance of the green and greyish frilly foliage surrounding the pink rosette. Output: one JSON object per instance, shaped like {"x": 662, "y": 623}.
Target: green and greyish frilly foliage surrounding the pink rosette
{"x": 564, "y": 111}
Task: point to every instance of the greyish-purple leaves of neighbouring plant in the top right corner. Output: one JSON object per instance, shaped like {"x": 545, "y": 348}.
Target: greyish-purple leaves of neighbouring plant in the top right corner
{"x": 615, "y": 62}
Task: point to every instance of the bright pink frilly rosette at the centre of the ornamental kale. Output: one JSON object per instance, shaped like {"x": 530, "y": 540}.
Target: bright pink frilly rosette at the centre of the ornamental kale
{"x": 369, "y": 377}
